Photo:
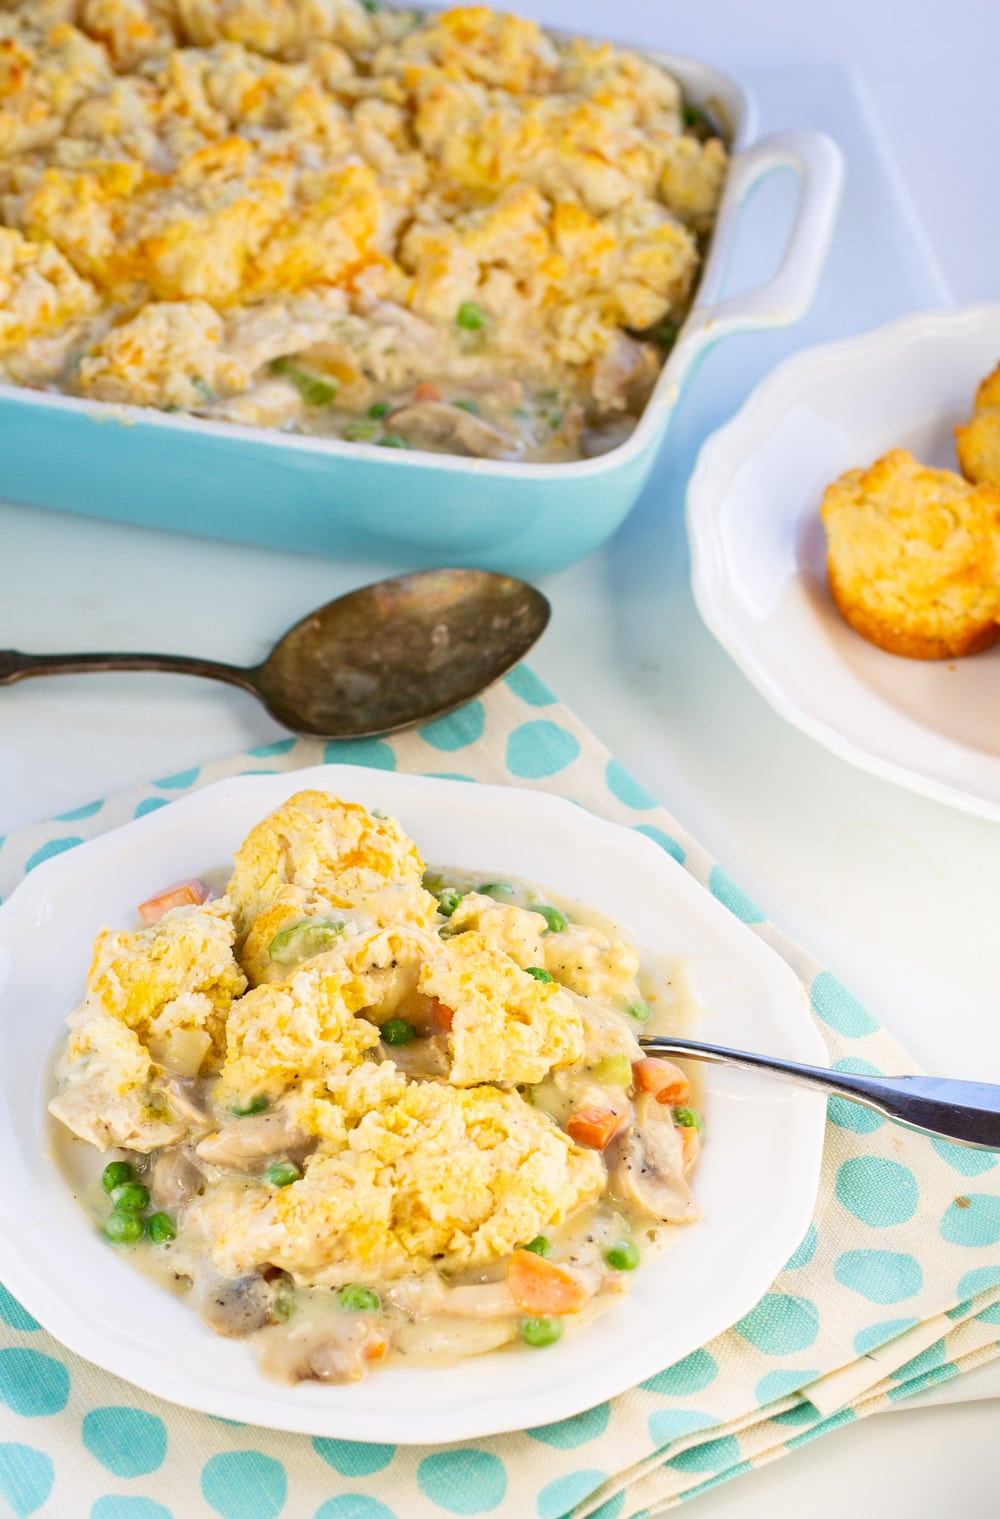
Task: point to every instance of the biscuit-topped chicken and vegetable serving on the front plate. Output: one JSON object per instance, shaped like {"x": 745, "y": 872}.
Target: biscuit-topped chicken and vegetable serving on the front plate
{"x": 362, "y": 1111}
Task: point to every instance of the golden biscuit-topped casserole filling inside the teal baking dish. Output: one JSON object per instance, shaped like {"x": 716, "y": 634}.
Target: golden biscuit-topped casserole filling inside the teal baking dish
{"x": 451, "y": 233}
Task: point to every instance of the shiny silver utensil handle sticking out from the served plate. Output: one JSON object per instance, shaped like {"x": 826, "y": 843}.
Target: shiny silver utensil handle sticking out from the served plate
{"x": 964, "y": 1113}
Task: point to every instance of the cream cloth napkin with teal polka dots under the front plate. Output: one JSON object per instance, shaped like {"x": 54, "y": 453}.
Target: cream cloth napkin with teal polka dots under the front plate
{"x": 894, "y": 1287}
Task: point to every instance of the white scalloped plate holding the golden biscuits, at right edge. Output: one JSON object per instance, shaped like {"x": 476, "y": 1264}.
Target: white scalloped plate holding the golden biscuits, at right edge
{"x": 759, "y": 552}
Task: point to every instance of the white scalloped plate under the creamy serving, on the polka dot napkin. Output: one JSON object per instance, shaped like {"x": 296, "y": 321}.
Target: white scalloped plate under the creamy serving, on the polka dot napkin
{"x": 758, "y": 1180}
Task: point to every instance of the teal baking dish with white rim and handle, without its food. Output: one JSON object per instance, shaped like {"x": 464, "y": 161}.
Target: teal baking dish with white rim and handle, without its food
{"x": 356, "y": 501}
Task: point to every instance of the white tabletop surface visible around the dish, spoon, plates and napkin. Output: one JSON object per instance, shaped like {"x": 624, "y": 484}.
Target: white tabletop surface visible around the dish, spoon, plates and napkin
{"x": 897, "y": 894}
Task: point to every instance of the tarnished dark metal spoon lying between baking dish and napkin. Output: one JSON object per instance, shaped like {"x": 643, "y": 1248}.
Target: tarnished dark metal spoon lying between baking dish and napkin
{"x": 376, "y": 660}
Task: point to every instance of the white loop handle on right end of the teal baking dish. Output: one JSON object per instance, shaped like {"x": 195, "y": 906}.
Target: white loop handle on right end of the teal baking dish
{"x": 818, "y": 163}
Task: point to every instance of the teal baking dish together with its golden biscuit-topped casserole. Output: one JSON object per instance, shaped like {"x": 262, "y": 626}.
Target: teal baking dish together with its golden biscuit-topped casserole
{"x": 361, "y": 232}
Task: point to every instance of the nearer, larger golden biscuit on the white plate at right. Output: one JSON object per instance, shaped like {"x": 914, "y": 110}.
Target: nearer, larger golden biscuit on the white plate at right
{"x": 914, "y": 558}
